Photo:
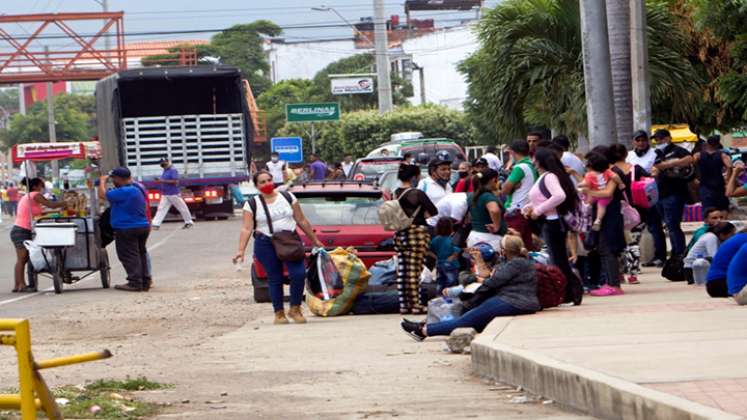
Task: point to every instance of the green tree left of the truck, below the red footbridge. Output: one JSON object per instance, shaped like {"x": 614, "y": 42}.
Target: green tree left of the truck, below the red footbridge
{"x": 73, "y": 121}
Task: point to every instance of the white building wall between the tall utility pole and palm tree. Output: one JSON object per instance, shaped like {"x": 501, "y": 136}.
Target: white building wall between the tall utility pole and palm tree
{"x": 439, "y": 54}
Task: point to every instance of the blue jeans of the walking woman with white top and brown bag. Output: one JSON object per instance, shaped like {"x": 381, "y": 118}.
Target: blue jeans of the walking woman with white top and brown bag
{"x": 264, "y": 252}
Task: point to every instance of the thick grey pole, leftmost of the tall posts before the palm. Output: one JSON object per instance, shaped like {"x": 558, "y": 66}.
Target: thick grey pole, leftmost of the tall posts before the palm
{"x": 600, "y": 106}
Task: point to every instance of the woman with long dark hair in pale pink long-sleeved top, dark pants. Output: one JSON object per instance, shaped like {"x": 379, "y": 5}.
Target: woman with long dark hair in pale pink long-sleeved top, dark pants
{"x": 552, "y": 197}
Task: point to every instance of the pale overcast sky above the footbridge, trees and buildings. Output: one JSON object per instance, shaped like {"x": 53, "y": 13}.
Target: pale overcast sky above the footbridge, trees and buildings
{"x": 184, "y": 15}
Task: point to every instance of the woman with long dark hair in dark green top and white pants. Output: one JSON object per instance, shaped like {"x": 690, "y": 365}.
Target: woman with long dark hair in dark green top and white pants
{"x": 488, "y": 225}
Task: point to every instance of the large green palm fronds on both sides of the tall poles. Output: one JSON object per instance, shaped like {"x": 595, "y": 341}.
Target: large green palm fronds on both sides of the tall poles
{"x": 528, "y": 70}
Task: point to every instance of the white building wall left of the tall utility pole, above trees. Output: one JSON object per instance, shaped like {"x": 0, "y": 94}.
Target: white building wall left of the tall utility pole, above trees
{"x": 302, "y": 60}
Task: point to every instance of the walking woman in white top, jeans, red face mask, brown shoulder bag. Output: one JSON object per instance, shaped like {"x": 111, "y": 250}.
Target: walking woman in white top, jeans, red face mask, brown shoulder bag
{"x": 286, "y": 215}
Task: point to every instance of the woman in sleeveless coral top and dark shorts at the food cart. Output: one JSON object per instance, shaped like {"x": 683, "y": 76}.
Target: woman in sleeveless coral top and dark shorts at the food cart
{"x": 29, "y": 206}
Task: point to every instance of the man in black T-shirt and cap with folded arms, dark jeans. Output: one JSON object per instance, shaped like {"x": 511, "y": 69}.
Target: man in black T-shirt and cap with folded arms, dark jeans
{"x": 671, "y": 166}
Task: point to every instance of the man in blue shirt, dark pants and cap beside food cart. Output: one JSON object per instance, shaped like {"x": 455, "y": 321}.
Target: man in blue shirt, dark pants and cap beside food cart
{"x": 131, "y": 228}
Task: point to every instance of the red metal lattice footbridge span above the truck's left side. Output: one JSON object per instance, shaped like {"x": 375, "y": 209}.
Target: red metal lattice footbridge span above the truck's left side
{"x": 28, "y": 62}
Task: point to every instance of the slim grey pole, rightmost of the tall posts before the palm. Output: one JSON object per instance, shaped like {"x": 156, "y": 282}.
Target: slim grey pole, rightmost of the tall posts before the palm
{"x": 639, "y": 66}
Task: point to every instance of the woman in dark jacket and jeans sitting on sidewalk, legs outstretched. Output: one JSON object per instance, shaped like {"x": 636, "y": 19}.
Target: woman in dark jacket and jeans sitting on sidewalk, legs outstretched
{"x": 513, "y": 283}
